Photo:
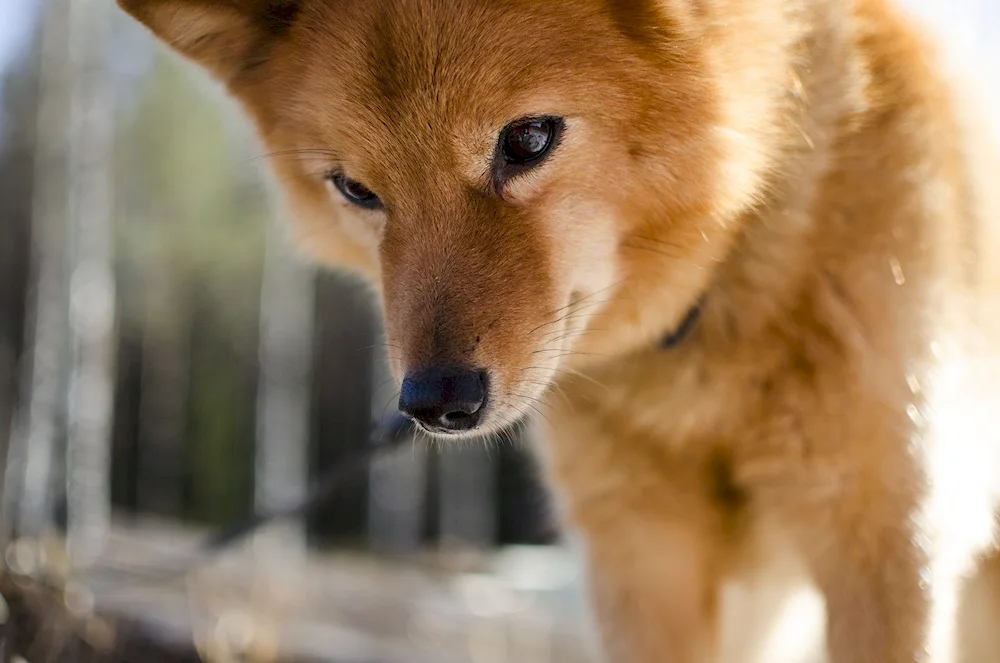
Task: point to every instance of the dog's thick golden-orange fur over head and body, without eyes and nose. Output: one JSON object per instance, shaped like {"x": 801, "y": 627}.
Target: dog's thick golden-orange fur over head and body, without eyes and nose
{"x": 799, "y": 165}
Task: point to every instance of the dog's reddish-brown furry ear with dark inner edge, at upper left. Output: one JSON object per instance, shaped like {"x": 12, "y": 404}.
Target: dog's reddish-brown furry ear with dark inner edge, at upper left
{"x": 227, "y": 37}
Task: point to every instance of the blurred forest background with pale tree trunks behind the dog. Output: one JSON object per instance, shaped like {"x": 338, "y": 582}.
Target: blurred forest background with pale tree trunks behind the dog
{"x": 168, "y": 365}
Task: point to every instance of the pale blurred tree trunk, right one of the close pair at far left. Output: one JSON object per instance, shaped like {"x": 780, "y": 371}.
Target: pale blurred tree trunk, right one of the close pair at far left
{"x": 92, "y": 284}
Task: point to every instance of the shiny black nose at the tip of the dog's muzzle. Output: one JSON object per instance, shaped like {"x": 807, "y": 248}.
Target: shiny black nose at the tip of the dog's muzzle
{"x": 444, "y": 399}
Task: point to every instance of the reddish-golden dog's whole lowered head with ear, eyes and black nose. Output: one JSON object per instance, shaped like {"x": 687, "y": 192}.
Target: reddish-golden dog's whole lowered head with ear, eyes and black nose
{"x": 529, "y": 183}
